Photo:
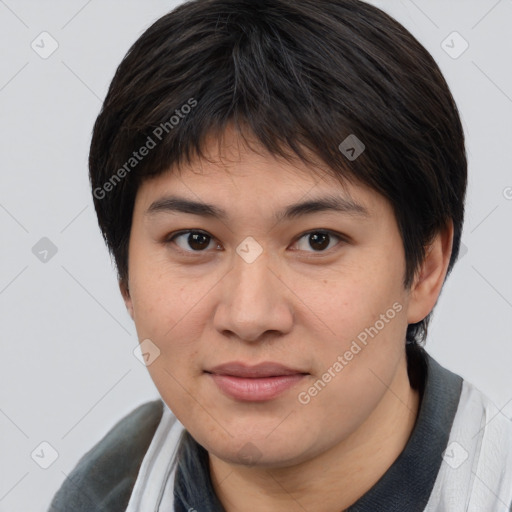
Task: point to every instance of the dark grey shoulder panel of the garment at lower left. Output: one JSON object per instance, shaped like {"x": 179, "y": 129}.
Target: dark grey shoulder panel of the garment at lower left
{"x": 104, "y": 477}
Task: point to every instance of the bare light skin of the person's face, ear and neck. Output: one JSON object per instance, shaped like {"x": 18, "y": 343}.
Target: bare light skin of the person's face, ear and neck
{"x": 294, "y": 305}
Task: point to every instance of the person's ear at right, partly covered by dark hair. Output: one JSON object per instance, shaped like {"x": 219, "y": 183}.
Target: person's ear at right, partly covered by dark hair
{"x": 430, "y": 277}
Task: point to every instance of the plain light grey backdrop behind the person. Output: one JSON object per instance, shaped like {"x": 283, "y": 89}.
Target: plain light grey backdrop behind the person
{"x": 67, "y": 365}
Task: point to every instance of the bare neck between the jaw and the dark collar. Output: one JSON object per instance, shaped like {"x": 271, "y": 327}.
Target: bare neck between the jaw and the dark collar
{"x": 335, "y": 479}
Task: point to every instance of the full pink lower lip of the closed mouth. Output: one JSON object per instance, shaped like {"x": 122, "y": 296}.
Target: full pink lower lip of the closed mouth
{"x": 255, "y": 389}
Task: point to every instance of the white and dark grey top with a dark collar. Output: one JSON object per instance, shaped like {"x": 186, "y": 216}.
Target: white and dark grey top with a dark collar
{"x": 148, "y": 462}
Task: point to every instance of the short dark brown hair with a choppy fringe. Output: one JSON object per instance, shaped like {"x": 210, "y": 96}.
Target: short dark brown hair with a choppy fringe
{"x": 301, "y": 76}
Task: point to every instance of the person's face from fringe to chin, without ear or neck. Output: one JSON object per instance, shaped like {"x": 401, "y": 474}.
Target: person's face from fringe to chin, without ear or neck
{"x": 318, "y": 291}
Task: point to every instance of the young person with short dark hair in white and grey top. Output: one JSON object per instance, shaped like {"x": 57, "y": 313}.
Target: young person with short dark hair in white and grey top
{"x": 282, "y": 185}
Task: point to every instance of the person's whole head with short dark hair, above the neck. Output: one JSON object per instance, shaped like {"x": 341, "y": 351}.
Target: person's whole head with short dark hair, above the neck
{"x": 244, "y": 107}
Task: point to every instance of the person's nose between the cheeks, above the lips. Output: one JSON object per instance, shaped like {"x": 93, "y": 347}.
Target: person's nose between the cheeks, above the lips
{"x": 255, "y": 302}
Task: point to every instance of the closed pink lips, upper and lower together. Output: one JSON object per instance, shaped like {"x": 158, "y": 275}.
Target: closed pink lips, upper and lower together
{"x": 258, "y": 383}
